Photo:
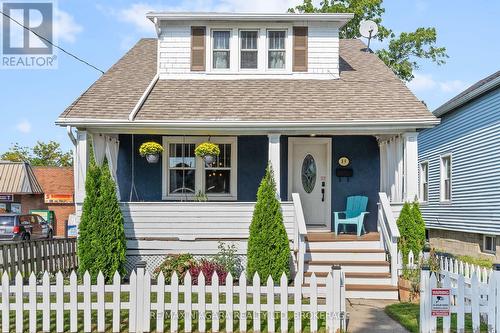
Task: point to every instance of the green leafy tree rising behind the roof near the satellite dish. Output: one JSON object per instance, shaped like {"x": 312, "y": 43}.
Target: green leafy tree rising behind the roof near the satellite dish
{"x": 403, "y": 51}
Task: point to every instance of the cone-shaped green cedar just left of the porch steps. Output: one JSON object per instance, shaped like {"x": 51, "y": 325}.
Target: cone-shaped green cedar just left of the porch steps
{"x": 268, "y": 248}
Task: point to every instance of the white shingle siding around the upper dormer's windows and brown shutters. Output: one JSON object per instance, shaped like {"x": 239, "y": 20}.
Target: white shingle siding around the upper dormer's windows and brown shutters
{"x": 174, "y": 51}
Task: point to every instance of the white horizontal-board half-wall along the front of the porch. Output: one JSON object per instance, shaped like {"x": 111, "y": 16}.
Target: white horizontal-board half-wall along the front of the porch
{"x": 179, "y": 227}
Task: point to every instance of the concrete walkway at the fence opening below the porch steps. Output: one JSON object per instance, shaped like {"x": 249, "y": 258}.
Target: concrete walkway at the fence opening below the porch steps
{"x": 367, "y": 315}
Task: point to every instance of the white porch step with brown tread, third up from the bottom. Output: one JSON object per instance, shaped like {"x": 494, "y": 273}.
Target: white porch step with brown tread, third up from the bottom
{"x": 347, "y": 266}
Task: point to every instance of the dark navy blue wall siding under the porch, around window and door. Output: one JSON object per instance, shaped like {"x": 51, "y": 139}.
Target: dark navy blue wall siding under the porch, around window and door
{"x": 252, "y": 162}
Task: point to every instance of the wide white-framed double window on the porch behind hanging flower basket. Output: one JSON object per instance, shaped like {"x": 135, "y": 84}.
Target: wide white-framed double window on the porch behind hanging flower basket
{"x": 185, "y": 175}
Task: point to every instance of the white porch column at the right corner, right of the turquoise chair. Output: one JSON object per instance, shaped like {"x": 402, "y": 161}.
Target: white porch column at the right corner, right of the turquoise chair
{"x": 410, "y": 165}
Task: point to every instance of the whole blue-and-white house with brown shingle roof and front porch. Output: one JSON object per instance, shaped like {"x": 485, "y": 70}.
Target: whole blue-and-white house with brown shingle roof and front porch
{"x": 330, "y": 117}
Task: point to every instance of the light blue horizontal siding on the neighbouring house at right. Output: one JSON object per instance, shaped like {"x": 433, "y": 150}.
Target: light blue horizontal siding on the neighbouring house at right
{"x": 471, "y": 134}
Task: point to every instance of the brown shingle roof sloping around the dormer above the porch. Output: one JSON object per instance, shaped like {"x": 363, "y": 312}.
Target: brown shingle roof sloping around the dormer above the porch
{"x": 366, "y": 91}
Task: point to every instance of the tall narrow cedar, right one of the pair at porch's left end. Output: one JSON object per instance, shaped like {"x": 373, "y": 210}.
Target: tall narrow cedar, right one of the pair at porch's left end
{"x": 110, "y": 256}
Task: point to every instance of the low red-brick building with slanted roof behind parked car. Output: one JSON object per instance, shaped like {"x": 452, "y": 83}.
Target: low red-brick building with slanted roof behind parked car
{"x": 24, "y": 188}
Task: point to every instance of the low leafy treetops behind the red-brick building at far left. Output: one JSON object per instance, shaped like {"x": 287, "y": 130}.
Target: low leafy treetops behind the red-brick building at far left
{"x": 42, "y": 154}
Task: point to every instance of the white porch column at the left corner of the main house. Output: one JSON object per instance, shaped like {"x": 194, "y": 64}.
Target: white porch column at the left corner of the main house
{"x": 80, "y": 165}
